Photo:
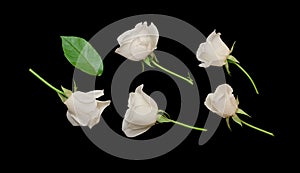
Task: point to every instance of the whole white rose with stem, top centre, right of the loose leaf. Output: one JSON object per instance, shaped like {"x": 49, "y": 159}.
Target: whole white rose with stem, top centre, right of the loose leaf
{"x": 139, "y": 43}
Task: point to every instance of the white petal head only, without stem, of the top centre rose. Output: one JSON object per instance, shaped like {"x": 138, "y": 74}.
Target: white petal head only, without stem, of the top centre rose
{"x": 136, "y": 44}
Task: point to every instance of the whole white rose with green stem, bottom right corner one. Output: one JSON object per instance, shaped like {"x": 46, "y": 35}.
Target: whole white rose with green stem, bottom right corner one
{"x": 223, "y": 103}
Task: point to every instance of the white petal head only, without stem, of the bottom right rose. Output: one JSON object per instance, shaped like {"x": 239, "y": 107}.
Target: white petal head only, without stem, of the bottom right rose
{"x": 222, "y": 101}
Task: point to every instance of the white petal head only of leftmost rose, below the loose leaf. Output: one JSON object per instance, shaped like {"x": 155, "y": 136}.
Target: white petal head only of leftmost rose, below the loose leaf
{"x": 84, "y": 109}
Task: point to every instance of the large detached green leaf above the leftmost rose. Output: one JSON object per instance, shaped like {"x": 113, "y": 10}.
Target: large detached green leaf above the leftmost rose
{"x": 82, "y": 55}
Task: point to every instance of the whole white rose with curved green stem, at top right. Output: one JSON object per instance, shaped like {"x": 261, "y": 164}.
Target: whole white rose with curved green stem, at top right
{"x": 214, "y": 52}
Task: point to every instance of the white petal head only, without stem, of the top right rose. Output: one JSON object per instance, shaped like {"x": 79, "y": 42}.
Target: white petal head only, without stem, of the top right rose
{"x": 213, "y": 52}
